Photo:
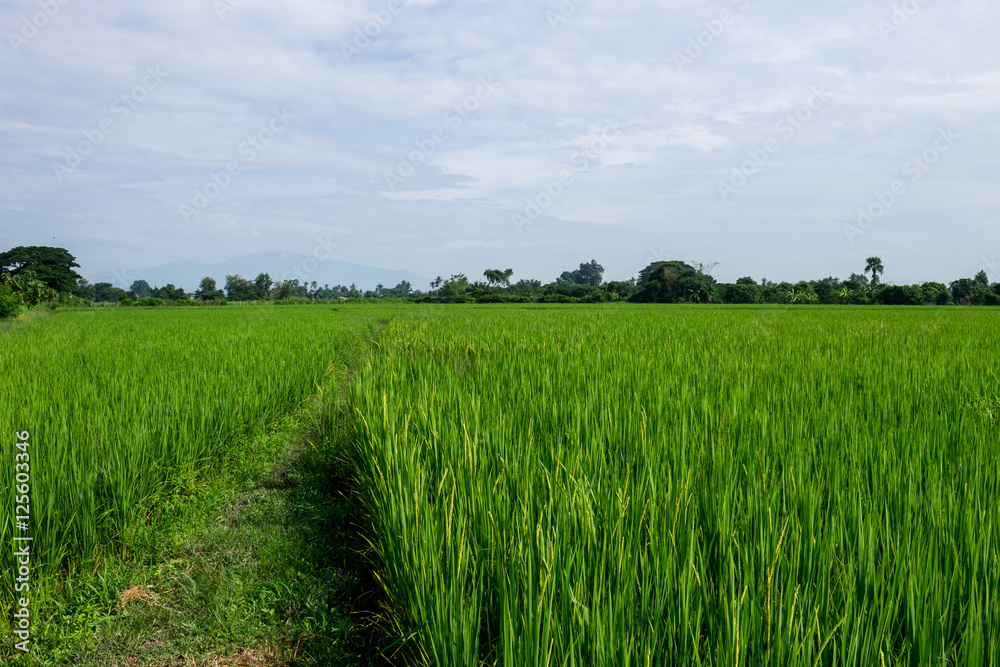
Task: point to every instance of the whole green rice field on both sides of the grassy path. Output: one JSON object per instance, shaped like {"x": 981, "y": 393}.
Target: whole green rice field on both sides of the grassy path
{"x": 571, "y": 486}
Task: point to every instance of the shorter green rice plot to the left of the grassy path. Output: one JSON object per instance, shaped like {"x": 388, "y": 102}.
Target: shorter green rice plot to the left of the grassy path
{"x": 122, "y": 404}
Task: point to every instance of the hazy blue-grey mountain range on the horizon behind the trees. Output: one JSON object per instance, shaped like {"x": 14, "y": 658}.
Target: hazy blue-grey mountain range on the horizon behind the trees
{"x": 187, "y": 274}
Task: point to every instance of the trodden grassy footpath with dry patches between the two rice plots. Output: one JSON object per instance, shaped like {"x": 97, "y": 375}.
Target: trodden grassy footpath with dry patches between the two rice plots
{"x": 261, "y": 564}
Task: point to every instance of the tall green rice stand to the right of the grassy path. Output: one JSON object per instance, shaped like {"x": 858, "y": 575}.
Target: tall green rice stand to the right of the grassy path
{"x": 696, "y": 486}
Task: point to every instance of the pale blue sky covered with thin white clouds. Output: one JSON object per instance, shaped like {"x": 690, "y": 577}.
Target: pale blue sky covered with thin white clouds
{"x": 780, "y": 140}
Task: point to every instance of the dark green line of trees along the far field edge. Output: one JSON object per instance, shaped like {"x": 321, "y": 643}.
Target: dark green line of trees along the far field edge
{"x": 34, "y": 275}
